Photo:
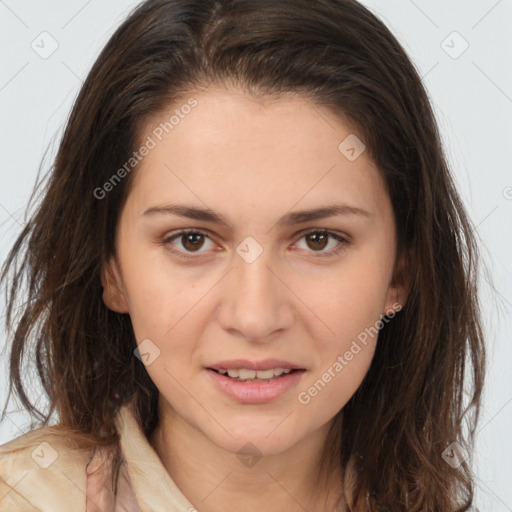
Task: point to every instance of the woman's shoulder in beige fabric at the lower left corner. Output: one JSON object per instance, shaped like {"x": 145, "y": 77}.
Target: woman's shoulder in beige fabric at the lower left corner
{"x": 43, "y": 470}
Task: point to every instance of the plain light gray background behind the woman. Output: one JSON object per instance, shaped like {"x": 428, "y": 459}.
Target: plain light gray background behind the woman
{"x": 471, "y": 93}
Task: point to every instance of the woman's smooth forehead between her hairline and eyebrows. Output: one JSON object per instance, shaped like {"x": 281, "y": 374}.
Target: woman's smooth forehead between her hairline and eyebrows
{"x": 231, "y": 150}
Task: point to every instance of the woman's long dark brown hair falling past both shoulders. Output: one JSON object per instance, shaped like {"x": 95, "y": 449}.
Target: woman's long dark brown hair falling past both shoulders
{"x": 411, "y": 406}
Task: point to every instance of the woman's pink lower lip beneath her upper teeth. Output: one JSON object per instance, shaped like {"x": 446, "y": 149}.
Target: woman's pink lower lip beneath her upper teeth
{"x": 256, "y": 392}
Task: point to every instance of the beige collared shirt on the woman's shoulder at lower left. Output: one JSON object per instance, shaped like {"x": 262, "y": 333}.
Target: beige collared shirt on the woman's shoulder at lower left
{"x": 46, "y": 472}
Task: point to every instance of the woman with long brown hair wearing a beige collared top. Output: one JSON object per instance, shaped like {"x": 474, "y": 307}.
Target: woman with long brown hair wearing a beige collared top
{"x": 251, "y": 278}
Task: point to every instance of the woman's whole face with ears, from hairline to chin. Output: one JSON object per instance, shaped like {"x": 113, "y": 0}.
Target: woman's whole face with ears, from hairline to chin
{"x": 257, "y": 284}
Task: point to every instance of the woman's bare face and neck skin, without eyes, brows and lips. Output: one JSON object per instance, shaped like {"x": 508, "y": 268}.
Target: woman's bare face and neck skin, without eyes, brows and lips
{"x": 252, "y": 161}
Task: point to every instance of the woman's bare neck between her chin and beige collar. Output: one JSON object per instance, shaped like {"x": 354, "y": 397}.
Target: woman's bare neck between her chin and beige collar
{"x": 211, "y": 477}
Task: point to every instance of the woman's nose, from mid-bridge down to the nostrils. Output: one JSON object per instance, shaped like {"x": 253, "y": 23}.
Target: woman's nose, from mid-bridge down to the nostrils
{"x": 257, "y": 303}
